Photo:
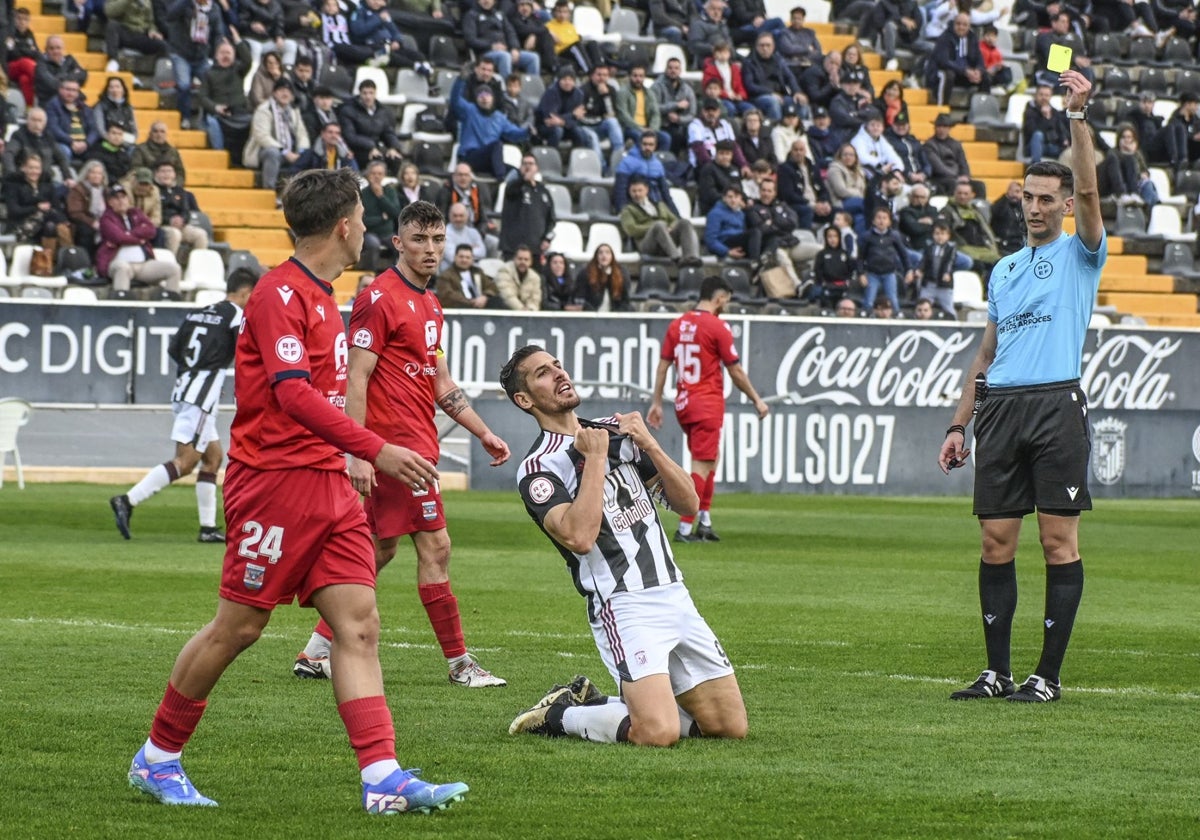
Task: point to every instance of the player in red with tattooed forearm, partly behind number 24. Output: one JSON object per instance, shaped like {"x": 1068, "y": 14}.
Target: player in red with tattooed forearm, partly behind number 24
{"x": 398, "y": 376}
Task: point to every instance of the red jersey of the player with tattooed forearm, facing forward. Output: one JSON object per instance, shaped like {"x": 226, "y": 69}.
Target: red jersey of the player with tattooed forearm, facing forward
{"x": 403, "y": 325}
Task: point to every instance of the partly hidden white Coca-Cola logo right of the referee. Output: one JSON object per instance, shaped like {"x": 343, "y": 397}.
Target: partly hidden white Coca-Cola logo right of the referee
{"x": 1125, "y": 373}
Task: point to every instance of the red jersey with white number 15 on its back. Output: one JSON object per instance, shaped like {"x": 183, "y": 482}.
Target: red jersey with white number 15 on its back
{"x": 700, "y": 343}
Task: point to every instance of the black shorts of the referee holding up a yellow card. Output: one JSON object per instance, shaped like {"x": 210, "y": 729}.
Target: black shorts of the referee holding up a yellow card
{"x": 1033, "y": 451}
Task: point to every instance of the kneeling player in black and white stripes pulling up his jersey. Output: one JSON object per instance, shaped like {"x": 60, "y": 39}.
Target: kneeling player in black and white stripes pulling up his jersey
{"x": 591, "y": 487}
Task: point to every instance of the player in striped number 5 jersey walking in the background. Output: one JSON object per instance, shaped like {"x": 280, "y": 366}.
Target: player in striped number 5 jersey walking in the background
{"x": 203, "y": 349}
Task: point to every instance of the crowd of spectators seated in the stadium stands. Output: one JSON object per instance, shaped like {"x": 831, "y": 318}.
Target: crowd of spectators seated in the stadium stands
{"x": 791, "y": 157}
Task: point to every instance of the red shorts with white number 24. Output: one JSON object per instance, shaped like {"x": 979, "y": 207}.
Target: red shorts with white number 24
{"x": 291, "y": 533}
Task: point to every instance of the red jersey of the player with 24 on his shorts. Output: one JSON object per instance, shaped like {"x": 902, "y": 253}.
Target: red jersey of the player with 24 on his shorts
{"x": 292, "y": 329}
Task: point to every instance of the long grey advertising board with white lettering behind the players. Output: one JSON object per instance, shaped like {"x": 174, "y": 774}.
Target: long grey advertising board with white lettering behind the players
{"x": 857, "y": 406}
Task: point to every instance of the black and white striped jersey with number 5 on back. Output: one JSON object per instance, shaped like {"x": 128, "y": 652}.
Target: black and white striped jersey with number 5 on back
{"x": 203, "y": 347}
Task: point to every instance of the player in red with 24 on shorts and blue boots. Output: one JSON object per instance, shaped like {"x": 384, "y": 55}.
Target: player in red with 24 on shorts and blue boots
{"x": 296, "y": 527}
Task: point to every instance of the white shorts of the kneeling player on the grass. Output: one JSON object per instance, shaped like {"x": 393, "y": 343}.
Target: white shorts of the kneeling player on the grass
{"x": 658, "y": 631}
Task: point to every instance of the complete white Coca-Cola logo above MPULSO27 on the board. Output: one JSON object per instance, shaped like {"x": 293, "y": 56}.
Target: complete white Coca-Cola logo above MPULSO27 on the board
{"x": 915, "y": 369}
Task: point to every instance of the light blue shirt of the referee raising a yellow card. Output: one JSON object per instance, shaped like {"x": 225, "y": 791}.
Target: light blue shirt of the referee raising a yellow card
{"x": 1041, "y": 301}
